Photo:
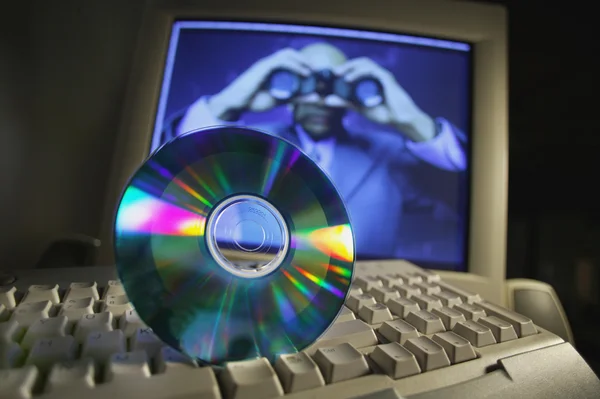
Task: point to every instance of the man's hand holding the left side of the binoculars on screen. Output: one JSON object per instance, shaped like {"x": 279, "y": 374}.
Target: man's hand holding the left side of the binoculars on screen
{"x": 245, "y": 93}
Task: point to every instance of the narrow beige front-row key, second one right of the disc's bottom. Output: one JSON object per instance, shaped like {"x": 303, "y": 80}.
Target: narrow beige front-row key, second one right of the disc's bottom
{"x": 298, "y": 372}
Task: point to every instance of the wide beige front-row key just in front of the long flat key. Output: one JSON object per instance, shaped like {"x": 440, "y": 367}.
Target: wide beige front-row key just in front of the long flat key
{"x": 340, "y": 363}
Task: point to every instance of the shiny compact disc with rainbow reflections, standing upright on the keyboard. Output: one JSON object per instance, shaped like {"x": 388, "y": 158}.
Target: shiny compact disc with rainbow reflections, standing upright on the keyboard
{"x": 232, "y": 244}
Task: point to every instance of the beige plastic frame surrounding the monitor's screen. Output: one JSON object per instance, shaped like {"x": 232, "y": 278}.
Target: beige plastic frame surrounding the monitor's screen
{"x": 481, "y": 25}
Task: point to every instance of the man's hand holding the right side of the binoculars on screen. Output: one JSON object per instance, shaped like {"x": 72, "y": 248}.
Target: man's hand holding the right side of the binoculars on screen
{"x": 398, "y": 108}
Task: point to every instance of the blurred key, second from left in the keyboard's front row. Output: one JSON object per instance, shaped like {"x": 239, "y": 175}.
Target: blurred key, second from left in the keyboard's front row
{"x": 68, "y": 376}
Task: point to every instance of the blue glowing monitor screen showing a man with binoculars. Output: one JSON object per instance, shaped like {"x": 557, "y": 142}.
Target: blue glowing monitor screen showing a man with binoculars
{"x": 386, "y": 116}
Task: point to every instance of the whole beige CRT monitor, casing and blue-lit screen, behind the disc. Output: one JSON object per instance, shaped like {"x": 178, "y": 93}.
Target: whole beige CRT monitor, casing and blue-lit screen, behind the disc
{"x": 403, "y": 104}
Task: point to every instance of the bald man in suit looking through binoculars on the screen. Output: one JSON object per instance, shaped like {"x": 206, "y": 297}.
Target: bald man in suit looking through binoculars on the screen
{"x": 357, "y": 162}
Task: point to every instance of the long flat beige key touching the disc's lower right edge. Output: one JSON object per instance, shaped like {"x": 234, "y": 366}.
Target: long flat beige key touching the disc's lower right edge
{"x": 355, "y": 332}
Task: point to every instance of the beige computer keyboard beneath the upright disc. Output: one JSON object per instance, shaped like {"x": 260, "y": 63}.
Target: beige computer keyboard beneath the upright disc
{"x": 404, "y": 332}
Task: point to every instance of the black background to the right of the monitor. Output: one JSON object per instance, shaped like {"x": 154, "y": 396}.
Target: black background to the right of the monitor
{"x": 554, "y": 172}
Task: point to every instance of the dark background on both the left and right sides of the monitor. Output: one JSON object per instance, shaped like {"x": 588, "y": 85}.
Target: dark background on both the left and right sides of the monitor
{"x": 63, "y": 72}
